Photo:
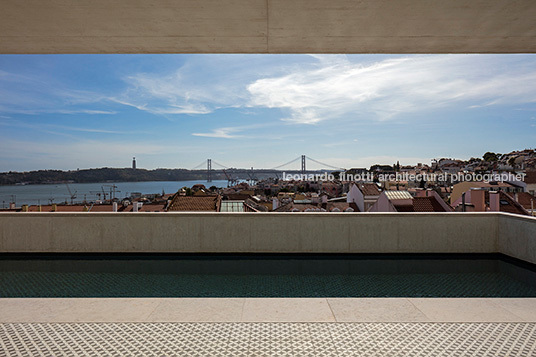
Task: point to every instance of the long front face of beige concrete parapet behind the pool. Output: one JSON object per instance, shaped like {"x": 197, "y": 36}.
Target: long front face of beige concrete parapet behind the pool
{"x": 250, "y": 232}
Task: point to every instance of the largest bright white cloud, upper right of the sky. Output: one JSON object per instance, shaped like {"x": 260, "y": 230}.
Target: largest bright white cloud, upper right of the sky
{"x": 337, "y": 88}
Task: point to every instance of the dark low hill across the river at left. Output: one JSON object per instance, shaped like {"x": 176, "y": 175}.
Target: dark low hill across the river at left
{"x": 105, "y": 174}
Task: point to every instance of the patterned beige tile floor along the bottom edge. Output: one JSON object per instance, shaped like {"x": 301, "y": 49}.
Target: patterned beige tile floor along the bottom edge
{"x": 268, "y": 339}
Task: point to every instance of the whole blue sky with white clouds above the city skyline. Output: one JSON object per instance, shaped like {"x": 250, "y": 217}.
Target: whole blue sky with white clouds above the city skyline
{"x": 82, "y": 111}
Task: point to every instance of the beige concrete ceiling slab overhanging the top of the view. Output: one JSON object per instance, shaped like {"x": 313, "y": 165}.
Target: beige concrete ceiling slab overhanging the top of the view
{"x": 267, "y": 26}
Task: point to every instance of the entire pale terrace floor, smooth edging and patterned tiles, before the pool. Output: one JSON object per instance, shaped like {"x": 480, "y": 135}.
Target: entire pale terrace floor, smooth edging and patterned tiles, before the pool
{"x": 268, "y": 326}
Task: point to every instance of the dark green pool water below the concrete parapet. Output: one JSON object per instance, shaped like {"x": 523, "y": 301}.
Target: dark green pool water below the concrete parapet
{"x": 265, "y": 276}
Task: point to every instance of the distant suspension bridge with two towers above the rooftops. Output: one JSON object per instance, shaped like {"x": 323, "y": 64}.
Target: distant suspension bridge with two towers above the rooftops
{"x": 297, "y": 165}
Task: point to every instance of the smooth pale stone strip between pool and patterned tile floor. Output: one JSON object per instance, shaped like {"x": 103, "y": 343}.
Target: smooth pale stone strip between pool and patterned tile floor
{"x": 65, "y": 310}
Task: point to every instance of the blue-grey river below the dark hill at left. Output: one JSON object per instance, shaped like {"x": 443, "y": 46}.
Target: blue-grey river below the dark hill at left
{"x": 58, "y": 193}
